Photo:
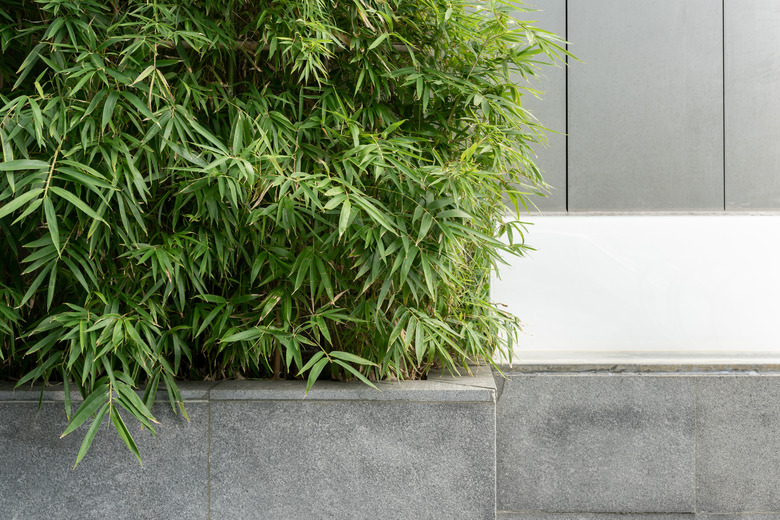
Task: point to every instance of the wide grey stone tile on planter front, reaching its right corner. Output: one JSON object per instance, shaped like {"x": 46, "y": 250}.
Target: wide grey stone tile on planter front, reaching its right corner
{"x": 352, "y": 460}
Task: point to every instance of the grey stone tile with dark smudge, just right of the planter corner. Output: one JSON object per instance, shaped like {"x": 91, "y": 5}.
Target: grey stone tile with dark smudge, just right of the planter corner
{"x": 595, "y": 443}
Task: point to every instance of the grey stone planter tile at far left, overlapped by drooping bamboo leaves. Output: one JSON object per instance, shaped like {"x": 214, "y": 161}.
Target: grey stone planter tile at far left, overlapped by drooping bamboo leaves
{"x": 39, "y": 482}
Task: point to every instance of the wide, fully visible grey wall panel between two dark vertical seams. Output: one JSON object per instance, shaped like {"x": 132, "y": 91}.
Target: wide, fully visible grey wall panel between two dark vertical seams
{"x": 646, "y": 106}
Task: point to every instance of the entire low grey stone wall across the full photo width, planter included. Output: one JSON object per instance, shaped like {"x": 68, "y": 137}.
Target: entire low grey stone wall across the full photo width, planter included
{"x": 548, "y": 443}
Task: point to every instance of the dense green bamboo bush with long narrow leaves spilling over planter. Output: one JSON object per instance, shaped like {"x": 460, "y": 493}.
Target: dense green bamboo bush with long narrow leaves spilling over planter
{"x": 215, "y": 189}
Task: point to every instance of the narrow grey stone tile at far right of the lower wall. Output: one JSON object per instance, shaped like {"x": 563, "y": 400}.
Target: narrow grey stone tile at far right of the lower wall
{"x": 738, "y": 446}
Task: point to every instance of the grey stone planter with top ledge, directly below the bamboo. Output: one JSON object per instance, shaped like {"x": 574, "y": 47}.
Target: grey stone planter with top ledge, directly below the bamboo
{"x": 259, "y": 449}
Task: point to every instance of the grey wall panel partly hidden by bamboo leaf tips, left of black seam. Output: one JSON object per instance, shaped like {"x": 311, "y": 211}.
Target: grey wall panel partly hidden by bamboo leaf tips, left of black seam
{"x": 550, "y": 110}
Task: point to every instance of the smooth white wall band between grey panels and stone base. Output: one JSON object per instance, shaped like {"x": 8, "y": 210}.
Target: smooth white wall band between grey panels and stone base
{"x": 661, "y": 287}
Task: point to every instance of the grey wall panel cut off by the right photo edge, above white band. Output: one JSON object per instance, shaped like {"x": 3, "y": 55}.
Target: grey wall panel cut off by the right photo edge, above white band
{"x": 752, "y": 72}
